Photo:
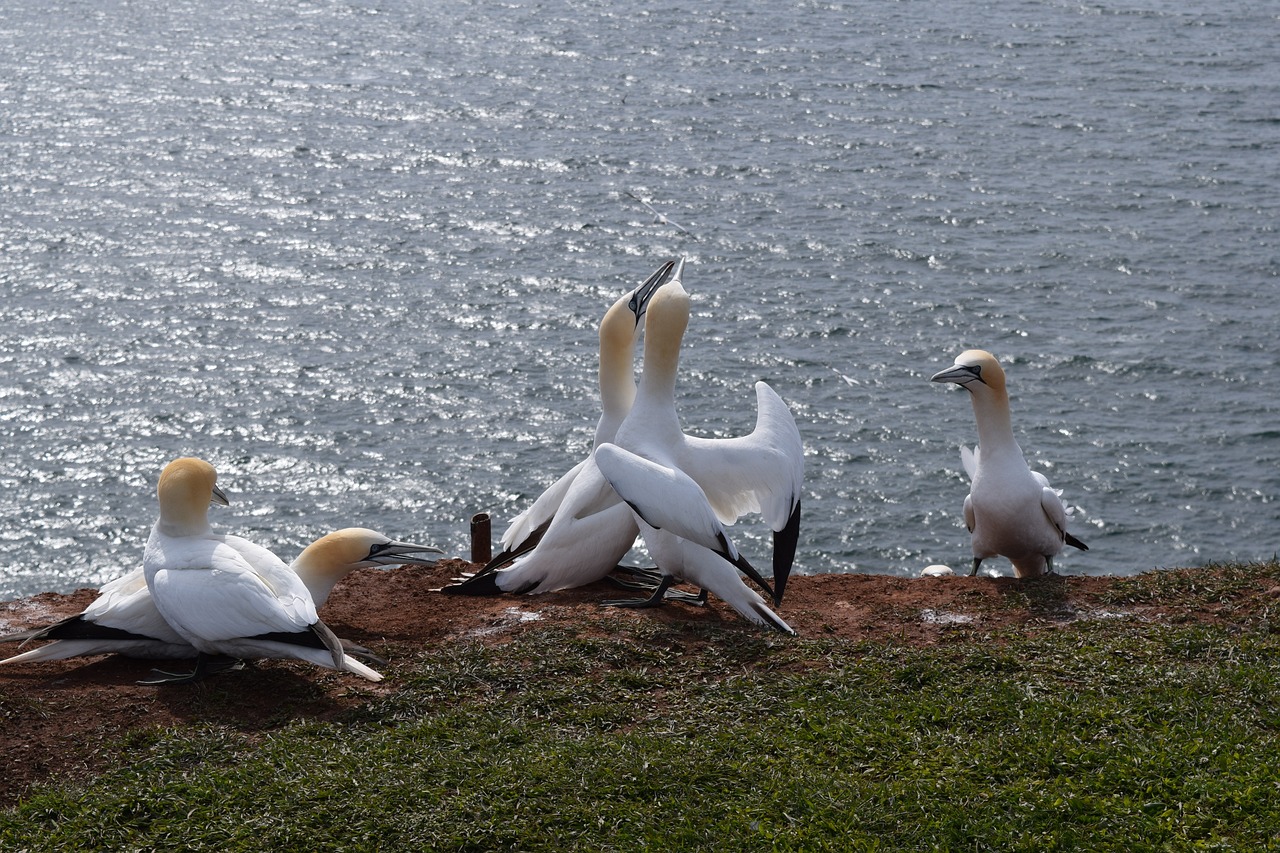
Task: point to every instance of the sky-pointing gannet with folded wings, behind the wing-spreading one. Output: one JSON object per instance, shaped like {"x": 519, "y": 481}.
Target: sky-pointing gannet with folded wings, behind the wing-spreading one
{"x": 578, "y": 531}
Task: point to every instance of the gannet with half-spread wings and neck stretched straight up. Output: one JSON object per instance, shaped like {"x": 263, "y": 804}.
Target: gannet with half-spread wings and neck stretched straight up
{"x": 685, "y": 490}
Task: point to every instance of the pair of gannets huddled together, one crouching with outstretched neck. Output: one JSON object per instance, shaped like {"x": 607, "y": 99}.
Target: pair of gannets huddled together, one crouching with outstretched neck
{"x": 127, "y": 619}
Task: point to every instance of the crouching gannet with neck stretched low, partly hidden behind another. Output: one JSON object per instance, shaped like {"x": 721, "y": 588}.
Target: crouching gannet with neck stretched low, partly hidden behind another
{"x": 125, "y": 621}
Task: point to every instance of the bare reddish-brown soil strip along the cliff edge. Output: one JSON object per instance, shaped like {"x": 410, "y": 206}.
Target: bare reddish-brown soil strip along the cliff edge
{"x": 62, "y": 720}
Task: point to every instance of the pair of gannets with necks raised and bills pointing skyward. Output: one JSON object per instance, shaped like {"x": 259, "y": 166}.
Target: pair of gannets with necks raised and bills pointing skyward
{"x": 580, "y": 528}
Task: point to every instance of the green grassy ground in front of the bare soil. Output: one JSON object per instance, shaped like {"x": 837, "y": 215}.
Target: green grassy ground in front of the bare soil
{"x": 1105, "y": 735}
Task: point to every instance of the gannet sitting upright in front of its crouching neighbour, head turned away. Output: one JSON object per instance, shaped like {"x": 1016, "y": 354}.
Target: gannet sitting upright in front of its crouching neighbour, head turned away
{"x": 227, "y": 596}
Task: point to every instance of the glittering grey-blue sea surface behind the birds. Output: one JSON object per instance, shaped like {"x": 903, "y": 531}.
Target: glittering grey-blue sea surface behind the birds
{"x": 355, "y": 254}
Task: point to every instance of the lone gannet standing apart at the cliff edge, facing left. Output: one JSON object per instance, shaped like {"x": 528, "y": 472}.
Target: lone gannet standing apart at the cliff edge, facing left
{"x": 1011, "y": 510}
